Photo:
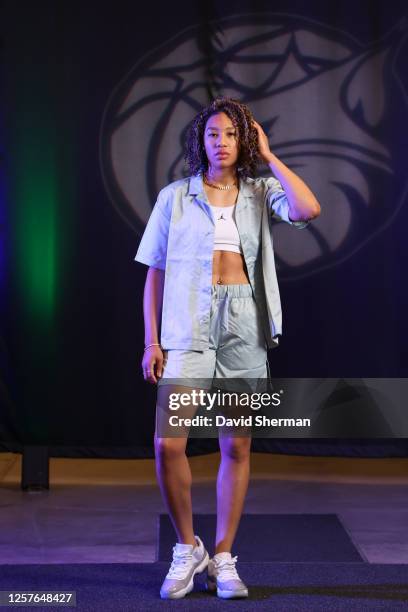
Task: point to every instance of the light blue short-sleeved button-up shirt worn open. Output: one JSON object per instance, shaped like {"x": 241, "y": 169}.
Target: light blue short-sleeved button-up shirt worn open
{"x": 179, "y": 238}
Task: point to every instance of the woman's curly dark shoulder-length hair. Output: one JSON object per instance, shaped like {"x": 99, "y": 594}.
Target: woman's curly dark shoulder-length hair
{"x": 241, "y": 117}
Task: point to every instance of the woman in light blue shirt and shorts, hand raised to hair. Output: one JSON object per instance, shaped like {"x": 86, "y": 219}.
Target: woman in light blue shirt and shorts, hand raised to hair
{"x": 212, "y": 283}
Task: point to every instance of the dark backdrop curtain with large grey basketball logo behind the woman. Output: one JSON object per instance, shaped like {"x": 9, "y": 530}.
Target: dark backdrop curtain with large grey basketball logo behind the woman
{"x": 72, "y": 329}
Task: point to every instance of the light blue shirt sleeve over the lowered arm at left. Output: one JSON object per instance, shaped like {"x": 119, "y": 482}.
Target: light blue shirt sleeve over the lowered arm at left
{"x": 152, "y": 249}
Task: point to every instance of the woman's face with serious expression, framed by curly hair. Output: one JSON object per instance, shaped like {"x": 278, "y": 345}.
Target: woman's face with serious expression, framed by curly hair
{"x": 221, "y": 142}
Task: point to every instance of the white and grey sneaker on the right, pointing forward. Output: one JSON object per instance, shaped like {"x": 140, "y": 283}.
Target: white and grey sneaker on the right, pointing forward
{"x": 223, "y": 576}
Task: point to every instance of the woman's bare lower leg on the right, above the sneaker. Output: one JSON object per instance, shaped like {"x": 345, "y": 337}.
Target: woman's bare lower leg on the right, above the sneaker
{"x": 232, "y": 485}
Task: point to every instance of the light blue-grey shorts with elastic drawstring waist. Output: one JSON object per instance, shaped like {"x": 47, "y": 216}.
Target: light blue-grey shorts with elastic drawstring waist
{"x": 237, "y": 345}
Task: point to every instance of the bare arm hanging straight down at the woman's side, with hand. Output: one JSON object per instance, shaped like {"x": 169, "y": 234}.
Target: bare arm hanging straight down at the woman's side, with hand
{"x": 152, "y": 310}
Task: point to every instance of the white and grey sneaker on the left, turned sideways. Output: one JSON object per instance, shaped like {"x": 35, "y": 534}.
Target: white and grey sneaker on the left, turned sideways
{"x": 187, "y": 561}
